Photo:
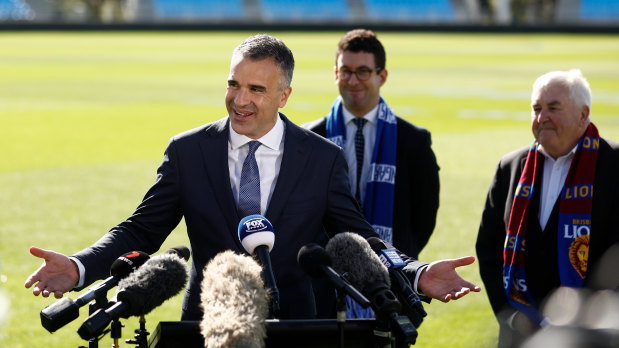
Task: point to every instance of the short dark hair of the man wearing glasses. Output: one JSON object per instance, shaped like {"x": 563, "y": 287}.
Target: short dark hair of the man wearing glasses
{"x": 362, "y": 40}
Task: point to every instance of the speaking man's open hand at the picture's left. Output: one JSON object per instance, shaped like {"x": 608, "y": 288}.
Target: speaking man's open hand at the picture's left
{"x": 57, "y": 275}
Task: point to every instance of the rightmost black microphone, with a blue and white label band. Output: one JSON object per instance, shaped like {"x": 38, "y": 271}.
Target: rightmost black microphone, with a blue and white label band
{"x": 394, "y": 263}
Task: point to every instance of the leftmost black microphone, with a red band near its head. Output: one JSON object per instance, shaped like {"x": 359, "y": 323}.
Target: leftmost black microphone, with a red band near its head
{"x": 62, "y": 312}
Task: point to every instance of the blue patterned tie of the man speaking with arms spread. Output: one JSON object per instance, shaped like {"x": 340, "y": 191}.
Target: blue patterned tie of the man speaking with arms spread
{"x": 249, "y": 190}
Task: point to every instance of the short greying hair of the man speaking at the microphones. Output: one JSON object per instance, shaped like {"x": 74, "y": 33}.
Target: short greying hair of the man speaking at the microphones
{"x": 262, "y": 46}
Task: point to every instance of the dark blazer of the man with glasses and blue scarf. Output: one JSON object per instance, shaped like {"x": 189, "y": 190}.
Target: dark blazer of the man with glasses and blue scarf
{"x": 416, "y": 186}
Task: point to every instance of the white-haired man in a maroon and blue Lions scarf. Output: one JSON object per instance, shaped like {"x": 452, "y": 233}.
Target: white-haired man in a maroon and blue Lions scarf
{"x": 552, "y": 208}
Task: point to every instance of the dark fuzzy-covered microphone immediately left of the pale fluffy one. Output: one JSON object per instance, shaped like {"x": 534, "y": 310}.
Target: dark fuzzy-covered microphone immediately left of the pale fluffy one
{"x": 159, "y": 279}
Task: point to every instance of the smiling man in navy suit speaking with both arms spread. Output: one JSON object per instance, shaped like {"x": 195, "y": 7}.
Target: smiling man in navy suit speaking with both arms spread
{"x": 304, "y": 192}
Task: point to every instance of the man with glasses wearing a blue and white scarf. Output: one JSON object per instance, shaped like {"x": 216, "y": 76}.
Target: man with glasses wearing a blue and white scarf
{"x": 392, "y": 169}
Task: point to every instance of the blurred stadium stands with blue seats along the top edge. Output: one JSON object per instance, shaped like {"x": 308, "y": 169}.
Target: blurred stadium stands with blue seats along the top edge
{"x": 571, "y": 14}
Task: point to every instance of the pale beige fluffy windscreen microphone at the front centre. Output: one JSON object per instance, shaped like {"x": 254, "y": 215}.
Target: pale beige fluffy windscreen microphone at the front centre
{"x": 235, "y": 302}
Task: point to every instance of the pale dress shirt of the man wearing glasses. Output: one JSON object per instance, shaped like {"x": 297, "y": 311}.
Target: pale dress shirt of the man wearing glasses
{"x": 369, "y": 133}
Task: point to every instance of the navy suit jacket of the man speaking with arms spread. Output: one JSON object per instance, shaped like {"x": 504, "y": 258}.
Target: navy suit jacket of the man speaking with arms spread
{"x": 312, "y": 196}
